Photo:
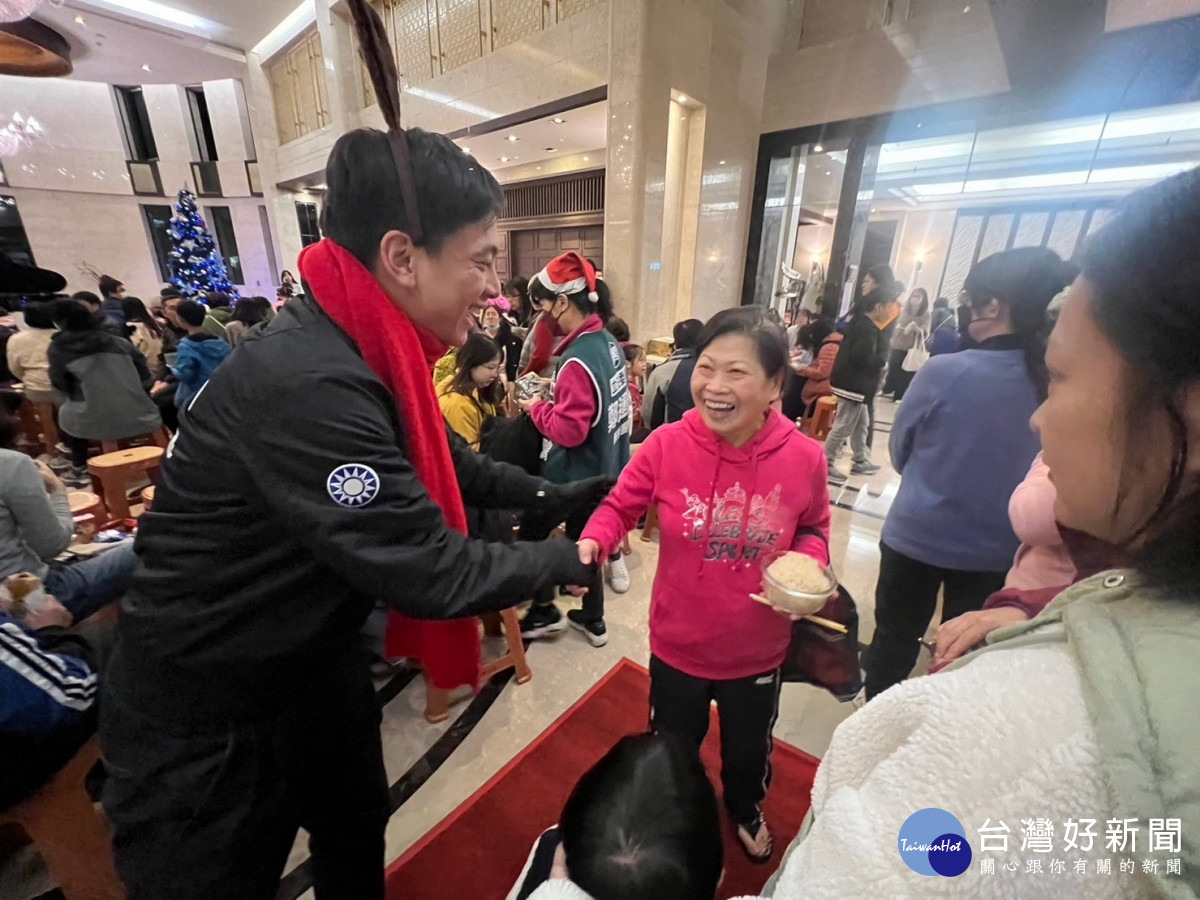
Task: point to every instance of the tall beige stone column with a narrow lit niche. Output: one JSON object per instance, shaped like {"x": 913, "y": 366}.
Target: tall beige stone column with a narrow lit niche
{"x": 713, "y": 61}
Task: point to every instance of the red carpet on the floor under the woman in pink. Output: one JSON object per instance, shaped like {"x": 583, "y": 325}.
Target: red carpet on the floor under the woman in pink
{"x": 478, "y": 850}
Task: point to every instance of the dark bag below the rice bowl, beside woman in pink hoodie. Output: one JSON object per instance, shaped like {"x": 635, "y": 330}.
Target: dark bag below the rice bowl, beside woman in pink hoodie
{"x": 826, "y": 658}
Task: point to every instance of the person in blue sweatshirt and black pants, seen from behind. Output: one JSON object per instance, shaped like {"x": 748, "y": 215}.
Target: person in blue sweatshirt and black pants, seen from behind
{"x": 963, "y": 443}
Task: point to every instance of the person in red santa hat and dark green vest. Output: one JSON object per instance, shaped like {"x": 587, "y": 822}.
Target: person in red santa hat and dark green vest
{"x": 589, "y": 423}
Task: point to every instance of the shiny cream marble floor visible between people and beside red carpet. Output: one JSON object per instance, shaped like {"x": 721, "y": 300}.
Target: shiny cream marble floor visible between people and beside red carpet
{"x": 566, "y": 668}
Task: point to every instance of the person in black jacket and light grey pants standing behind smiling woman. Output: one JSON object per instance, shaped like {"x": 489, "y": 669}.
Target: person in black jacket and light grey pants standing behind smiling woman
{"x": 856, "y": 381}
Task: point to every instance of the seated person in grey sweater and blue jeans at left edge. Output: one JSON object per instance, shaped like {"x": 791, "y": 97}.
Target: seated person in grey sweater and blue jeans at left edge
{"x": 37, "y": 526}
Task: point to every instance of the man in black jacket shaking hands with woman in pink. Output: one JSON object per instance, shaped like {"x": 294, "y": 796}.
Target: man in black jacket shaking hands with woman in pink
{"x": 238, "y": 705}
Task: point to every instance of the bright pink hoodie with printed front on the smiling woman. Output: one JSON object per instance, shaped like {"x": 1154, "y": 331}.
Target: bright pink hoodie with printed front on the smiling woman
{"x": 722, "y": 511}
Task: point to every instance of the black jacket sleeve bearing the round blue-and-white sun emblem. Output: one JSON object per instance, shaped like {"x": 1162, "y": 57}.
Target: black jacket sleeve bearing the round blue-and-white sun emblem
{"x": 389, "y": 542}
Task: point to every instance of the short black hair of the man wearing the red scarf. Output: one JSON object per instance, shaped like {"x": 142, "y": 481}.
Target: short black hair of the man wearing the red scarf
{"x": 363, "y": 201}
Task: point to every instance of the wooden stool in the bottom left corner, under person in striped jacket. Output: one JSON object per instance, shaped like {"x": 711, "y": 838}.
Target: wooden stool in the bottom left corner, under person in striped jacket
{"x": 69, "y": 832}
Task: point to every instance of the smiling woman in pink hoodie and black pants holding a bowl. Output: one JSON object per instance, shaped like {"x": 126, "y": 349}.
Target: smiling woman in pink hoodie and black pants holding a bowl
{"x": 734, "y": 482}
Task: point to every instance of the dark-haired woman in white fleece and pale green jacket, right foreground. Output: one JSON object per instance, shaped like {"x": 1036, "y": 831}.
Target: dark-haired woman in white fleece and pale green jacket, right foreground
{"x": 1088, "y": 712}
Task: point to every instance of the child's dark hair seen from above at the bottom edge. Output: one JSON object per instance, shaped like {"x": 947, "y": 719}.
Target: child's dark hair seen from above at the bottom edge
{"x": 643, "y": 825}
